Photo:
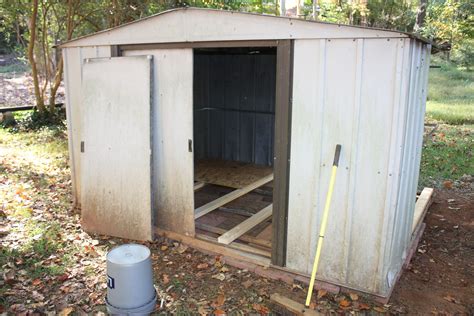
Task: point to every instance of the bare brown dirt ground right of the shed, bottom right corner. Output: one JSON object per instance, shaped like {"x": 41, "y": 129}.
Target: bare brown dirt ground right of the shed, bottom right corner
{"x": 440, "y": 278}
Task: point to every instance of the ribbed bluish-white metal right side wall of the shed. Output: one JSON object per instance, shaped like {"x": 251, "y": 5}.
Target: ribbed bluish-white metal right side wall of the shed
{"x": 401, "y": 235}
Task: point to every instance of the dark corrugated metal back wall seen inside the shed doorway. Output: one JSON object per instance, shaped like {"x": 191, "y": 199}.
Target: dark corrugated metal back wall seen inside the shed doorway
{"x": 234, "y": 106}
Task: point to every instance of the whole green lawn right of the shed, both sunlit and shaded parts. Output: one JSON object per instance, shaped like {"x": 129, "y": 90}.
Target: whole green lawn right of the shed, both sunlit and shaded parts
{"x": 448, "y": 153}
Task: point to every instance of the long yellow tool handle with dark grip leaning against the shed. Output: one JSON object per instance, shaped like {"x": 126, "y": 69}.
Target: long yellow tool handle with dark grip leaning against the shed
{"x": 322, "y": 230}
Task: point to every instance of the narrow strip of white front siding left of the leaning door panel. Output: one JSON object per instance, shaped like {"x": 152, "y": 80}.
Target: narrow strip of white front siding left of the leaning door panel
{"x": 73, "y": 60}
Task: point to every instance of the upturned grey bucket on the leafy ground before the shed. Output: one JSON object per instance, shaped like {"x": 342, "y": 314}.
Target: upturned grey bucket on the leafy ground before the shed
{"x": 130, "y": 287}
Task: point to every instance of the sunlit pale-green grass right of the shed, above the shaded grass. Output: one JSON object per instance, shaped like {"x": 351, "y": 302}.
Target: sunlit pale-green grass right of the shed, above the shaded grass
{"x": 450, "y": 94}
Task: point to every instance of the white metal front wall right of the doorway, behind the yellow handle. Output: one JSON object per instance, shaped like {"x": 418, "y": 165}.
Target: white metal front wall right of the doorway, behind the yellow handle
{"x": 353, "y": 92}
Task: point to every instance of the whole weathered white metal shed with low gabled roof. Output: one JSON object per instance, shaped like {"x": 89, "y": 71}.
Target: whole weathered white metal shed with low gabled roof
{"x": 218, "y": 128}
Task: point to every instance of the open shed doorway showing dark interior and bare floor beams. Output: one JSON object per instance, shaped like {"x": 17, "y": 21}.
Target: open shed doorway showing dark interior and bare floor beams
{"x": 234, "y": 123}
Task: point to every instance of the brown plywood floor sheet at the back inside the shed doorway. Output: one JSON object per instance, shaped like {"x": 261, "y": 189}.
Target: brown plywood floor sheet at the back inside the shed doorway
{"x": 230, "y": 174}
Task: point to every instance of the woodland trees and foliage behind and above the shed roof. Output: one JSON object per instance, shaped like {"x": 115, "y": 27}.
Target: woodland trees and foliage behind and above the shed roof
{"x": 33, "y": 28}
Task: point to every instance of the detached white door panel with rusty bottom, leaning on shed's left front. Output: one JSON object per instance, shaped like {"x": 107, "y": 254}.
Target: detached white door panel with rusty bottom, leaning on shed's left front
{"x": 116, "y": 161}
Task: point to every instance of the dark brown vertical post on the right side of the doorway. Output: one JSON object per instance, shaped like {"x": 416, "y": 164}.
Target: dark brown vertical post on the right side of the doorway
{"x": 283, "y": 104}
